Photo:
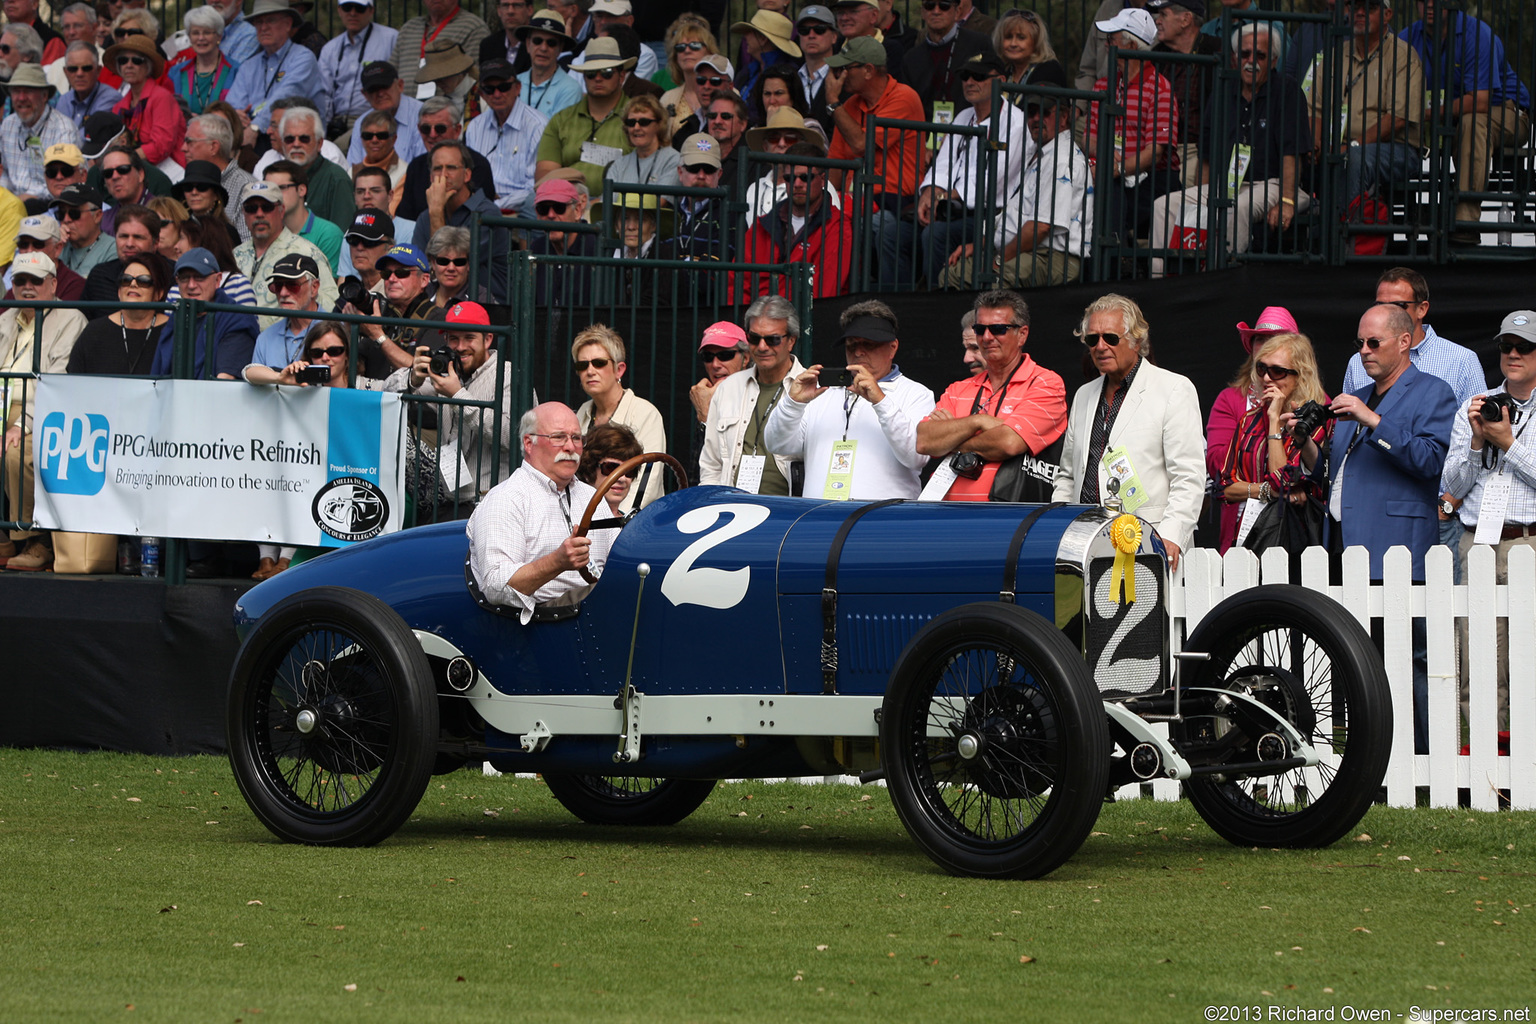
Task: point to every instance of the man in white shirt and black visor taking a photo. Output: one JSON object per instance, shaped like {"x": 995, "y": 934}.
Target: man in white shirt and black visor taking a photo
{"x": 855, "y": 429}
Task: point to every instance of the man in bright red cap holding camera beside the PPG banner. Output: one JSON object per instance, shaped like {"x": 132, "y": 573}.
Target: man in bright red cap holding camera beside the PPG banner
{"x": 466, "y": 368}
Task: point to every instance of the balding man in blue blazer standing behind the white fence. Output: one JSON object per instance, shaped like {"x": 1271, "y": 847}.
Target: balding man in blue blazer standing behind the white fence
{"x": 1385, "y": 463}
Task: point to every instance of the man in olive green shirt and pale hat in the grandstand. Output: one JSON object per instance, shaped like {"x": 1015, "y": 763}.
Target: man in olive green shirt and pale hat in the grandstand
{"x": 586, "y": 137}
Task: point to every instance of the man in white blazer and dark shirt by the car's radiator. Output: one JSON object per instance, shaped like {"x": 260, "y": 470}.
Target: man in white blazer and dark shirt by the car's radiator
{"x": 1134, "y": 437}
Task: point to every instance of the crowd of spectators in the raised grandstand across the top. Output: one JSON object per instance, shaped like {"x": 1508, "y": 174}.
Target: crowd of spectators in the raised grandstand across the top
{"x": 446, "y": 117}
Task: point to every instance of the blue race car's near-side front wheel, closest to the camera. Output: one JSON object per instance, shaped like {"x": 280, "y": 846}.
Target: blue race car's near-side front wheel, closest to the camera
{"x": 996, "y": 744}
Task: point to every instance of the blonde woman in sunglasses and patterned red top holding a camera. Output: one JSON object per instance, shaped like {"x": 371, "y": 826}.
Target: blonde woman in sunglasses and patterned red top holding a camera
{"x": 1265, "y": 460}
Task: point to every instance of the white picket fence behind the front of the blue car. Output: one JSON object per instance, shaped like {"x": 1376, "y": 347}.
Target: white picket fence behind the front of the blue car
{"x": 1207, "y": 580}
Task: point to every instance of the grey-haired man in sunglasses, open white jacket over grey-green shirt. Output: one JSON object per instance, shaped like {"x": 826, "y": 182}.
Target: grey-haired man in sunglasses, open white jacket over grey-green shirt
{"x": 735, "y": 448}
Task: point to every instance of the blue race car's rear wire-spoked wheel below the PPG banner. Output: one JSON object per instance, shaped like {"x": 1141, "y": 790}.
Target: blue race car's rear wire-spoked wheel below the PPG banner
{"x": 333, "y": 719}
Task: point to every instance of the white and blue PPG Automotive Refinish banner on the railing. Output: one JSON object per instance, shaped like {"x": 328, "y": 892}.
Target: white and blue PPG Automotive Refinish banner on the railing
{"x": 217, "y": 460}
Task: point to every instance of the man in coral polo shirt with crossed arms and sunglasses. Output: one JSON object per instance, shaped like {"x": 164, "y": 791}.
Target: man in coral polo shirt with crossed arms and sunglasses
{"x": 1013, "y": 408}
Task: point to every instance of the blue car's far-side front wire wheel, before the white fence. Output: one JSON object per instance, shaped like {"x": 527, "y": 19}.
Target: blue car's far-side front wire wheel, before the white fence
{"x": 1306, "y": 658}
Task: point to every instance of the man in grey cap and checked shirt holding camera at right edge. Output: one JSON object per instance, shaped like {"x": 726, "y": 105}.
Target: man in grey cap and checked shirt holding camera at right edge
{"x": 1492, "y": 472}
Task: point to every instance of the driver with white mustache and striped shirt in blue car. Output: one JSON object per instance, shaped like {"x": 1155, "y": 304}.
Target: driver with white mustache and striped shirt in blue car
{"x": 523, "y": 553}
